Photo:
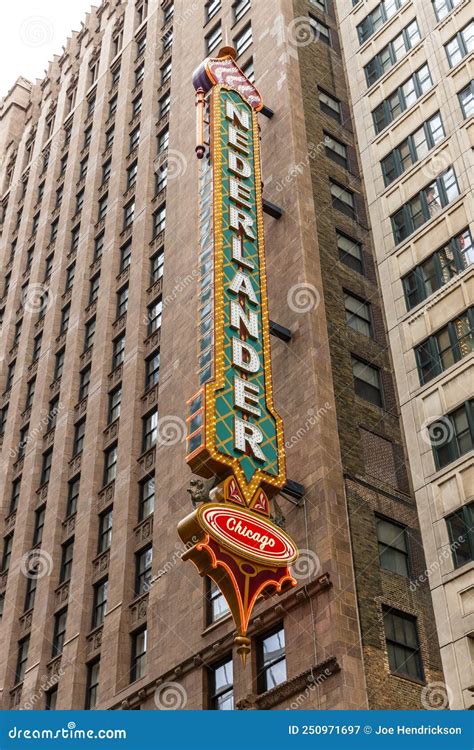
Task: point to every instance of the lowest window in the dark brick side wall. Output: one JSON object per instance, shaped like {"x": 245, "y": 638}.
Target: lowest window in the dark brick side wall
{"x": 402, "y": 644}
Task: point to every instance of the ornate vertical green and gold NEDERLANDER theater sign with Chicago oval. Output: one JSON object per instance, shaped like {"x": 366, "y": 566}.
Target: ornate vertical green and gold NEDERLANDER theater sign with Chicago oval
{"x": 235, "y": 436}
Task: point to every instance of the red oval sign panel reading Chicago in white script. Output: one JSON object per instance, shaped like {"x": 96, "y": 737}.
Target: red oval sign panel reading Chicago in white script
{"x": 248, "y": 535}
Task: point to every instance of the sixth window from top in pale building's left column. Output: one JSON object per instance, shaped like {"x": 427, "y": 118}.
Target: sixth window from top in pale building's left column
{"x": 438, "y": 269}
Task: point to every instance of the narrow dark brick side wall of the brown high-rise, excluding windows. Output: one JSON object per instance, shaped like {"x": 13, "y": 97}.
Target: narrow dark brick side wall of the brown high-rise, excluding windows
{"x": 372, "y": 450}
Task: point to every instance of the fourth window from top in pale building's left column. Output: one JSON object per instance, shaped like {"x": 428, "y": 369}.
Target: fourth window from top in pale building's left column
{"x": 413, "y": 148}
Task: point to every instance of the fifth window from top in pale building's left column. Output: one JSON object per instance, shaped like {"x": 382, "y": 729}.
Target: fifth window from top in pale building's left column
{"x": 424, "y": 206}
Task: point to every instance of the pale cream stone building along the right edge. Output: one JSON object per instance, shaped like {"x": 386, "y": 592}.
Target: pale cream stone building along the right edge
{"x": 412, "y": 90}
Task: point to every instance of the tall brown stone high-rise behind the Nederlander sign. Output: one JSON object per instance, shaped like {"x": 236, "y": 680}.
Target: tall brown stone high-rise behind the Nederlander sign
{"x": 99, "y": 327}
